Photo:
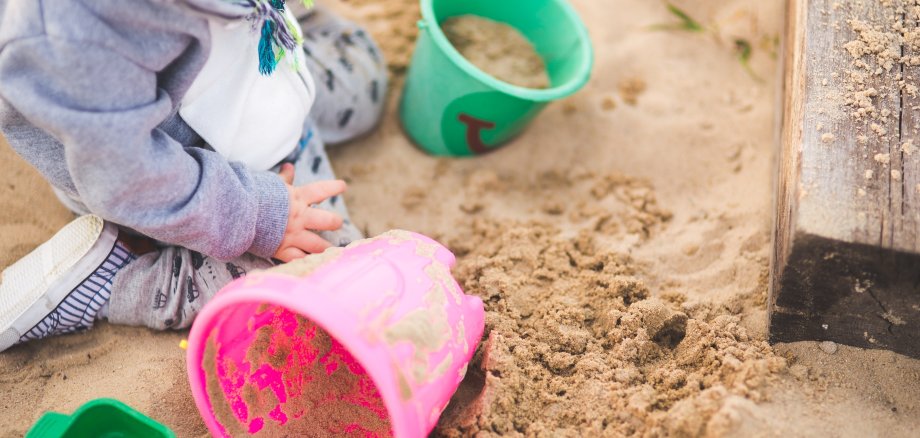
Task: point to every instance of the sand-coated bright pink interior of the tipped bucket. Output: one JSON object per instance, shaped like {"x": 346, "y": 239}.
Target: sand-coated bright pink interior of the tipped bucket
{"x": 327, "y": 392}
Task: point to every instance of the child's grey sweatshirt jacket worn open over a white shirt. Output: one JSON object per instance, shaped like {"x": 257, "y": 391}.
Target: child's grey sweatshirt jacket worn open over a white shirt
{"x": 89, "y": 95}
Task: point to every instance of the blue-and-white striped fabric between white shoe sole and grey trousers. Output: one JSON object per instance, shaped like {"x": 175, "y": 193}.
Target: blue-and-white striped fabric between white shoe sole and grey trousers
{"x": 81, "y": 306}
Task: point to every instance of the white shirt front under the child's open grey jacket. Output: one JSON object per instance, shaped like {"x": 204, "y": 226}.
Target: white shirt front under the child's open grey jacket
{"x": 244, "y": 115}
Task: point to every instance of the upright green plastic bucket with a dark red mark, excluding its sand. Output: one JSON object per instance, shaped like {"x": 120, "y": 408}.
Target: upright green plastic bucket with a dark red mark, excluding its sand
{"x": 450, "y": 107}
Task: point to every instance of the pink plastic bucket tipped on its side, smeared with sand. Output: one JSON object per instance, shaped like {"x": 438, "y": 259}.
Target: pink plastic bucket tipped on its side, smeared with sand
{"x": 369, "y": 340}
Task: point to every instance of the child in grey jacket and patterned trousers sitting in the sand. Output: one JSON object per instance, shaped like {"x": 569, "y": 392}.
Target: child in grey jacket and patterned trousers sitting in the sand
{"x": 189, "y": 133}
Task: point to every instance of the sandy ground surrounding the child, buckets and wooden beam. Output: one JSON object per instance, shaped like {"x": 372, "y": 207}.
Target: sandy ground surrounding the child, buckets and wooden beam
{"x": 657, "y": 176}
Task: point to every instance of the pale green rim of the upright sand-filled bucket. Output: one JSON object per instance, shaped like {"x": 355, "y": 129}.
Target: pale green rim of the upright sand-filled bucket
{"x": 537, "y": 95}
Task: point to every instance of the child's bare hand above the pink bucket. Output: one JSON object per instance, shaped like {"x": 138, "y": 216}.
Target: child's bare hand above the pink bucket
{"x": 299, "y": 240}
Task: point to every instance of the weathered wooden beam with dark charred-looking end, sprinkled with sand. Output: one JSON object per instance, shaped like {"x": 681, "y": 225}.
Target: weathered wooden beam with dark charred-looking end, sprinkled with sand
{"x": 846, "y": 262}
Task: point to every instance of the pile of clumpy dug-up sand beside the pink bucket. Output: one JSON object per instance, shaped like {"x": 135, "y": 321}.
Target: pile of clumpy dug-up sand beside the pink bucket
{"x": 577, "y": 346}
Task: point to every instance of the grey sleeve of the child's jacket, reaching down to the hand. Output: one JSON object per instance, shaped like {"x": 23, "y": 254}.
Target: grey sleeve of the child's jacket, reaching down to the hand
{"x": 105, "y": 110}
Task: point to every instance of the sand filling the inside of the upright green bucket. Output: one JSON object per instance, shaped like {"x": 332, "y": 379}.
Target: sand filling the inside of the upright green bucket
{"x": 497, "y": 49}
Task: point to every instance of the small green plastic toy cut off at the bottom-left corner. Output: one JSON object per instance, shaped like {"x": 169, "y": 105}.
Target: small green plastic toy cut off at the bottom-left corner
{"x": 99, "y": 418}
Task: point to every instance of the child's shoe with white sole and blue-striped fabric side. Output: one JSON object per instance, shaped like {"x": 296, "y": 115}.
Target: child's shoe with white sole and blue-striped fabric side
{"x": 60, "y": 286}
